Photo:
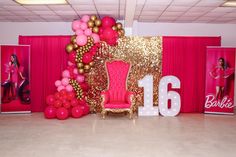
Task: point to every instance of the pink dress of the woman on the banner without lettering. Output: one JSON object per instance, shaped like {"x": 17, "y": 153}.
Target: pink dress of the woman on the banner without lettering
{"x": 14, "y": 72}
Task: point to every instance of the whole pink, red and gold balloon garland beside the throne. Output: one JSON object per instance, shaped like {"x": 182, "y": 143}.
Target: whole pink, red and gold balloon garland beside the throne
{"x": 90, "y": 32}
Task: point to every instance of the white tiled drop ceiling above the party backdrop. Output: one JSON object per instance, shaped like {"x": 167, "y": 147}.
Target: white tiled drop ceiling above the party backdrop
{"x": 178, "y": 11}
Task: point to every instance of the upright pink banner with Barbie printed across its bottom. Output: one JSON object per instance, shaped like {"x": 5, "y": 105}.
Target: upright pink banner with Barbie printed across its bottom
{"x": 219, "y": 88}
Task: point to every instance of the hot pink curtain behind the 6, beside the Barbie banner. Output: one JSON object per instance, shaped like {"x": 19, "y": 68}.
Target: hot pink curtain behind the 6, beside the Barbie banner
{"x": 185, "y": 57}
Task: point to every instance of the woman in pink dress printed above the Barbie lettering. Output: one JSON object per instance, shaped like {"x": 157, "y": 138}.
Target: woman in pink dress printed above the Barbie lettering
{"x": 220, "y": 73}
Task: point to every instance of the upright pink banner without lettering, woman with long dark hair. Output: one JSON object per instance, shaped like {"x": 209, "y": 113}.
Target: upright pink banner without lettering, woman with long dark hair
{"x": 15, "y": 78}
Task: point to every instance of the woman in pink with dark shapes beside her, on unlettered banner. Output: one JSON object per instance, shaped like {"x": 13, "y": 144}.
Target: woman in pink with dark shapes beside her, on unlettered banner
{"x": 15, "y": 84}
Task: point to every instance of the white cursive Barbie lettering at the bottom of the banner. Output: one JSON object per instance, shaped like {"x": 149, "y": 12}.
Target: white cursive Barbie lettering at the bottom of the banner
{"x": 211, "y": 101}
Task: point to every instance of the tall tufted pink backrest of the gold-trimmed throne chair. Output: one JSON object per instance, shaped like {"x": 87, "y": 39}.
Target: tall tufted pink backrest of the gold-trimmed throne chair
{"x": 117, "y": 79}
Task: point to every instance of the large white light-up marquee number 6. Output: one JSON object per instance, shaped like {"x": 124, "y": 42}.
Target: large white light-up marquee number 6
{"x": 165, "y": 95}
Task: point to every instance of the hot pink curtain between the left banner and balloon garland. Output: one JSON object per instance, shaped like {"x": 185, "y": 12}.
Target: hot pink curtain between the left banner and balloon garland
{"x": 48, "y": 59}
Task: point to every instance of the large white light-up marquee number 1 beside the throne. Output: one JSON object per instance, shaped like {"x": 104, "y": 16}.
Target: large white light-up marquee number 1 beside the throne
{"x": 147, "y": 109}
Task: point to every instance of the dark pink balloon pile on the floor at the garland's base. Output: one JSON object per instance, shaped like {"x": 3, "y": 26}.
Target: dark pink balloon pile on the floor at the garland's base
{"x": 63, "y": 104}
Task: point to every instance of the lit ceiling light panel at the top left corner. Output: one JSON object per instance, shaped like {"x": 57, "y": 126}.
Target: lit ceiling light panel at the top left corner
{"x": 36, "y": 2}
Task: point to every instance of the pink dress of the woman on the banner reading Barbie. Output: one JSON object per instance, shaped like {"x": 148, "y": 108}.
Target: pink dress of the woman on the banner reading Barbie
{"x": 221, "y": 74}
